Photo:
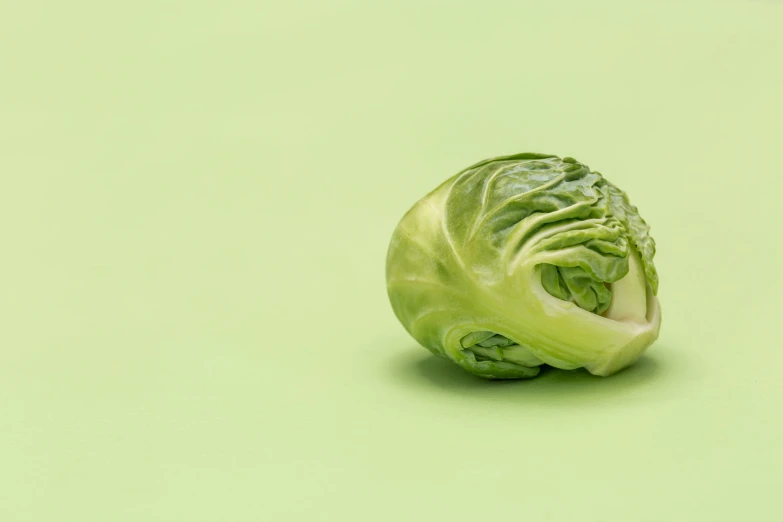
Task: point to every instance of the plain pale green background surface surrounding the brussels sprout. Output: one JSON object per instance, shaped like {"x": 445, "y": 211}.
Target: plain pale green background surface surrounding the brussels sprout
{"x": 195, "y": 204}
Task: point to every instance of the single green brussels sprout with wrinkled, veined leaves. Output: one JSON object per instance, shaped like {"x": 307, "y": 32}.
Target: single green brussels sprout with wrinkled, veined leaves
{"x": 524, "y": 260}
